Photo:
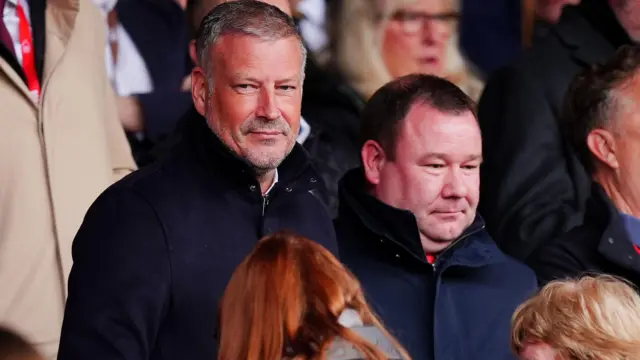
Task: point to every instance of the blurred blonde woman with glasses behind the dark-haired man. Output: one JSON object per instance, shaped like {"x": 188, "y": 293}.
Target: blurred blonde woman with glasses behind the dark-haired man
{"x": 376, "y": 41}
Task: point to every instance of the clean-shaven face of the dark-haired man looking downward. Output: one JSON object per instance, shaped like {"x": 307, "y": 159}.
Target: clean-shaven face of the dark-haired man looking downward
{"x": 435, "y": 173}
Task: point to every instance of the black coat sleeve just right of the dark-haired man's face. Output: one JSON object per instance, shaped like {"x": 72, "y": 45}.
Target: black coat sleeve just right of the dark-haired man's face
{"x": 528, "y": 195}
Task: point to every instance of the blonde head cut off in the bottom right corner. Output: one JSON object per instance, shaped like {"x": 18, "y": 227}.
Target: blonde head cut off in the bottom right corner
{"x": 593, "y": 318}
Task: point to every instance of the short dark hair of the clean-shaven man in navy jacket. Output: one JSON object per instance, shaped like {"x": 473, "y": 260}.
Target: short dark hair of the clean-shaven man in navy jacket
{"x": 389, "y": 105}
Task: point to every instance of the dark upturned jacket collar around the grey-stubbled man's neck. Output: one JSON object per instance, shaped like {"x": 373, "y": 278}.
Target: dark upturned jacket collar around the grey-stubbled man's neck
{"x": 295, "y": 172}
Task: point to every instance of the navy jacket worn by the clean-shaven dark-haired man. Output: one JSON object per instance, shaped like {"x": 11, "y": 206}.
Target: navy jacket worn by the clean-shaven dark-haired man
{"x": 459, "y": 308}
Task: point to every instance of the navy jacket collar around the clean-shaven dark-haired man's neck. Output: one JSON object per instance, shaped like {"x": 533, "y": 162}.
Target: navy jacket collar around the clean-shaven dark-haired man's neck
{"x": 473, "y": 248}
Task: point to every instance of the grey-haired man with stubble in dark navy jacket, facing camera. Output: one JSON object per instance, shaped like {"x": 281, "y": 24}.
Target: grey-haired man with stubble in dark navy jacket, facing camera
{"x": 156, "y": 250}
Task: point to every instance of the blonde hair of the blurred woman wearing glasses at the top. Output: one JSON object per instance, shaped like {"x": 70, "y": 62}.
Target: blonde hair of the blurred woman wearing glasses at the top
{"x": 356, "y": 31}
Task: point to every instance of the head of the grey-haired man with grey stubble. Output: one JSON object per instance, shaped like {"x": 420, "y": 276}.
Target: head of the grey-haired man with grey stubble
{"x": 248, "y": 84}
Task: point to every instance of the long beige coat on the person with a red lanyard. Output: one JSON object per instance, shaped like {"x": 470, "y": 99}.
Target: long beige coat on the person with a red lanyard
{"x": 57, "y": 154}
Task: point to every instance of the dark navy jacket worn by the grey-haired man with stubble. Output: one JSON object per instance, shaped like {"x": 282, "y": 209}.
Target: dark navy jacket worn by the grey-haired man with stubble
{"x": 156, "y": 250}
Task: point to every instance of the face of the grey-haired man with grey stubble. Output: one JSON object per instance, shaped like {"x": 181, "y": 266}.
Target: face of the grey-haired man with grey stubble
{"x": 254, "y": 104}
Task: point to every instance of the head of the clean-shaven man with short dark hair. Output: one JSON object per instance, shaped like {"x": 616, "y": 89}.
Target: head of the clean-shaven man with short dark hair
{"x": 422, "y": 153}
